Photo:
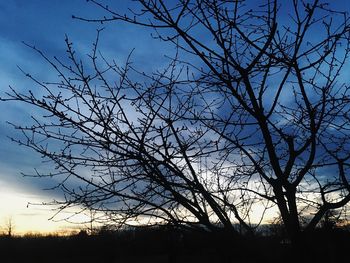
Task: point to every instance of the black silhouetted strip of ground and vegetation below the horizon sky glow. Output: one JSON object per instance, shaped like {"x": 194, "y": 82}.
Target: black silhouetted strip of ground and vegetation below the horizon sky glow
{"x": 171, "y": 245}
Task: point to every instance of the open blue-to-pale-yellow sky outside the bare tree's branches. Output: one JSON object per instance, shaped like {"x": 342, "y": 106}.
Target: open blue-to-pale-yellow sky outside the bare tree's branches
{"x": 44, "y": 23}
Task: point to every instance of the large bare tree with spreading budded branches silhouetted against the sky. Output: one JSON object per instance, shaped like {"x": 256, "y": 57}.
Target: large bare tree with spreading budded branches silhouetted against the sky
{"x": 255, "y": 113}
